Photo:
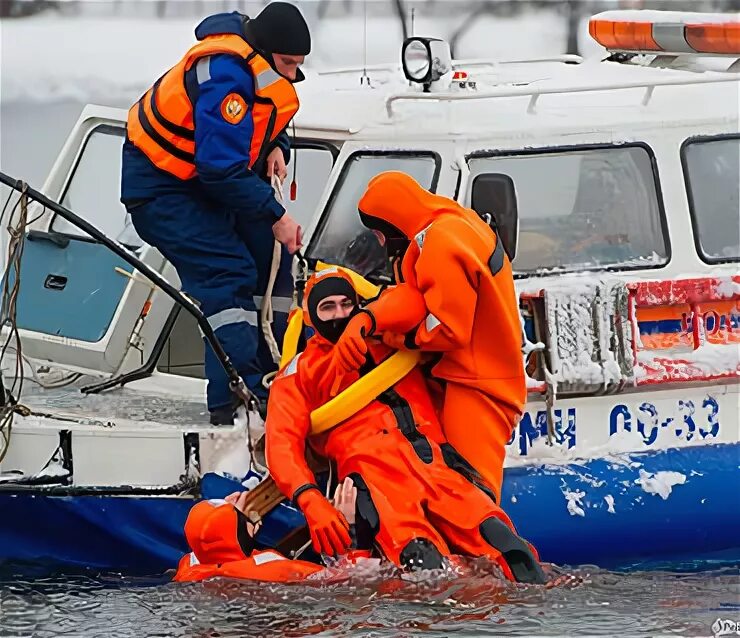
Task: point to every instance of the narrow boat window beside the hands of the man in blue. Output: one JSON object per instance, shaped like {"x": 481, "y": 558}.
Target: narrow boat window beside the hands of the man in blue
{"x": 310, "y": 166}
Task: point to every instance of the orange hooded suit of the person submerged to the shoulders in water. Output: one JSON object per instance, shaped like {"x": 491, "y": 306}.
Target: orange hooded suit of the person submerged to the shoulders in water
{"x": 222, "y": 547}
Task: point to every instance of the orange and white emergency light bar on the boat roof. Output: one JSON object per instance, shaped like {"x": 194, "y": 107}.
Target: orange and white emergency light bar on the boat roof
{"x": 667, "y": 32}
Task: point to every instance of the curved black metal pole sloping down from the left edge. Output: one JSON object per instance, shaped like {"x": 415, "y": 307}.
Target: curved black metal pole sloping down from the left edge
{"x": 235, "y": 381}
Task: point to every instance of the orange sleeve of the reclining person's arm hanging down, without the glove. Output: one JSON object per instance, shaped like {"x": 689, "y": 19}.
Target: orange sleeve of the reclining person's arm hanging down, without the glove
{"x": 286, "y": 431}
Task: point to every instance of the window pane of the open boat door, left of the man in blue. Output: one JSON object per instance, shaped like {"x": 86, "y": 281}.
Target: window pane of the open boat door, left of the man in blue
{"x": 94, "y": 189}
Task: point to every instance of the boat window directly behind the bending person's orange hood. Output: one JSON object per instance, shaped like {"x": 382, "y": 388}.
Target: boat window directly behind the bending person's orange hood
{"x": 340, "y": 237}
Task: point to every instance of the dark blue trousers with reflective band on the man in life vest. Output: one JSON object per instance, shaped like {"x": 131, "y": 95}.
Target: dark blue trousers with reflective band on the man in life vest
{"x": 223, "y": 261}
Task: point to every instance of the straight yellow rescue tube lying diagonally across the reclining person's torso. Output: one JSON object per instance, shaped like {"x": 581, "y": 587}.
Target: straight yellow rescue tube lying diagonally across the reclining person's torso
{"x": 364, "y": 391}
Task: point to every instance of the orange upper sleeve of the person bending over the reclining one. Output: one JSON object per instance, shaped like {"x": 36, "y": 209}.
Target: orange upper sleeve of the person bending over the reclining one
{"x": 447, "y": 277}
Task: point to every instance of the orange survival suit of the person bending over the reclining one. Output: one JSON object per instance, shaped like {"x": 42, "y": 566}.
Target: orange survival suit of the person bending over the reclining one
{"x": 456, "y": 261}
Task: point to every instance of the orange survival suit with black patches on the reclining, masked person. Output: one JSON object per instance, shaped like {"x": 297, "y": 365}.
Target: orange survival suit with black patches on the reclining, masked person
{"x": 418, "y": 508}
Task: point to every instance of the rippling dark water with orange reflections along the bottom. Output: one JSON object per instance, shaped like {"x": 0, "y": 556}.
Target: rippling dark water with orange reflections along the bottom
{"x": 378, "y": 602}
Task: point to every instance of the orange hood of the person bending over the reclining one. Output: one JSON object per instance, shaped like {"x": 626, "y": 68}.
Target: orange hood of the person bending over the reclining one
{"x": 396, "y": 199}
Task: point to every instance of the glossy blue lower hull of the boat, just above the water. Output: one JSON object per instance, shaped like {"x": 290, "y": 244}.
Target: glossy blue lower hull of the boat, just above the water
{"x": 698, "y": 520}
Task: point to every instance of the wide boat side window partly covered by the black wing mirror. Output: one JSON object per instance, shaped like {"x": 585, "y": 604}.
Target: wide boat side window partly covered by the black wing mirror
{"x": 576, "y": 209}
